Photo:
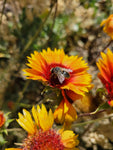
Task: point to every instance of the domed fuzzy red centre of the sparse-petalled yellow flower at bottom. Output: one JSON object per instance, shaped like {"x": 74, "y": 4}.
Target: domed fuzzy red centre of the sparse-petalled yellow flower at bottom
{"x": 48, "y": 140}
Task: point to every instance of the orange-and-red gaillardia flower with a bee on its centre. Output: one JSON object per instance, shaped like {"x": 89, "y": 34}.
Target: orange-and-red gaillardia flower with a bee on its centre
{"x": 59, "y": 70}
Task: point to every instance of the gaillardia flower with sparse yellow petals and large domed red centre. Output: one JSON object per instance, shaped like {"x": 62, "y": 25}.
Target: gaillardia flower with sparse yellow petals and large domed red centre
{"x": 44, "y": 137}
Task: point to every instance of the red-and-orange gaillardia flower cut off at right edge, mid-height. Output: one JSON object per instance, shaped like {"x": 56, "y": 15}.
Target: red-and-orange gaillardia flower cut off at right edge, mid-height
{"x": 105, "y": 66}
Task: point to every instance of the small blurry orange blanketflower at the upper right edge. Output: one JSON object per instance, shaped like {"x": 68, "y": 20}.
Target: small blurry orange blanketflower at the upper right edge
{"x": 108, "y": 26}
